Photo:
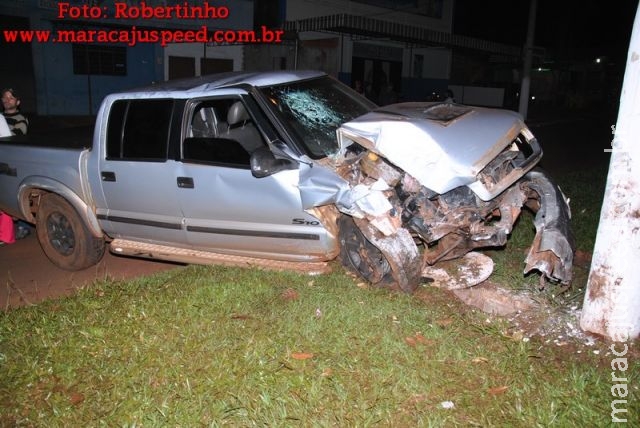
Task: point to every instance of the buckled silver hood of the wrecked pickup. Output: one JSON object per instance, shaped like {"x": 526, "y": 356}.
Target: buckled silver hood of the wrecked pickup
{"x": 442, "y": 145}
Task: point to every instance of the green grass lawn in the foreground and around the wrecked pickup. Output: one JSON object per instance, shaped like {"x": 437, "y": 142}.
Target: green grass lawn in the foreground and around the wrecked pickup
{"x": 215, "y": 346}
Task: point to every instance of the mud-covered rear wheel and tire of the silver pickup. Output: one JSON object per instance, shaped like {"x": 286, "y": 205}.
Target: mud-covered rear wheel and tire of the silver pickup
{"x": 64, "y": 237}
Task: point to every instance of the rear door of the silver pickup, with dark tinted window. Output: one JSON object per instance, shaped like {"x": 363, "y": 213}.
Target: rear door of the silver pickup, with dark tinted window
{"x": 137, "y": 173}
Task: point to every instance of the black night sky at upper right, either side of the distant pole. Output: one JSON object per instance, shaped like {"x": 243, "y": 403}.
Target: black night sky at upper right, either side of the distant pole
{"x": 568, "y": 29}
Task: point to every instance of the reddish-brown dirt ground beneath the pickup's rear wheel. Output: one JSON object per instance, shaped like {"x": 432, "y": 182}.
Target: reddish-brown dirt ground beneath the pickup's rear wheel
{"x": 28, "y": 277}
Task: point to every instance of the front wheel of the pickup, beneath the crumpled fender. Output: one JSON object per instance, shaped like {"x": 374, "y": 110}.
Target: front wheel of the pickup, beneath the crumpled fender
{"x": 360, "y": 256}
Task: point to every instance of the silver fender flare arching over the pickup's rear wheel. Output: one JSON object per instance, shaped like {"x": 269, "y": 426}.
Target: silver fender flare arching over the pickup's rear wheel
{"x": 35, "y": 186}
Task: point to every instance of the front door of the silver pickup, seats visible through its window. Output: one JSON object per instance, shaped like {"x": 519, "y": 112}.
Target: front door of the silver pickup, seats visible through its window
{"x": 224, "y": 205}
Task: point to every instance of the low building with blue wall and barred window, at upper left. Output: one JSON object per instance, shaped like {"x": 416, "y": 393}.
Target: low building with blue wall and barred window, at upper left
{"x": 92, "y": 50}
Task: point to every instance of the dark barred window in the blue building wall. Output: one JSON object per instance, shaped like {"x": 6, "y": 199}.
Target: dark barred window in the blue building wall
{"x": 99, "y": 60}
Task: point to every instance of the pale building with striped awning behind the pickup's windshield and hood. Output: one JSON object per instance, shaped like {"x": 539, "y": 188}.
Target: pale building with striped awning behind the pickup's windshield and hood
{"x": 396, "y": 49}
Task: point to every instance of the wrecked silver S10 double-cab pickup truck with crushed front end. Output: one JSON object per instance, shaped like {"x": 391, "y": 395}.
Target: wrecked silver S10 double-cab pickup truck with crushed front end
{"x": 286, "y": 170}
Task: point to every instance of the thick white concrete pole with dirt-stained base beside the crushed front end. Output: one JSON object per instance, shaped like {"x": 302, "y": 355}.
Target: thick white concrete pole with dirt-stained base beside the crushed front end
{"x": 612, "y": 301}
